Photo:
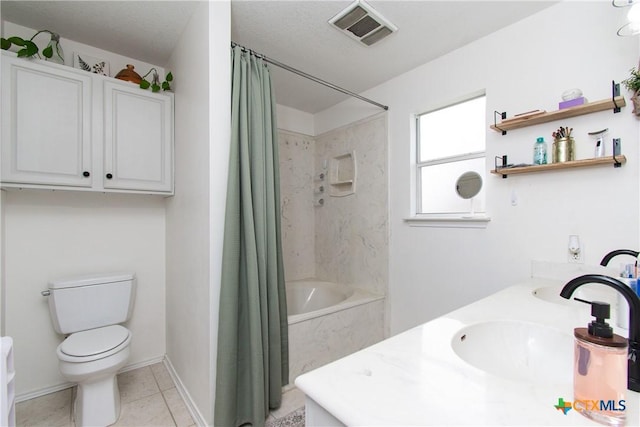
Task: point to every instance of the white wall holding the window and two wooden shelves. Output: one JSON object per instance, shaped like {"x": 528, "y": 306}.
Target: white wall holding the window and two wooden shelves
{"x": 522, "y": 67}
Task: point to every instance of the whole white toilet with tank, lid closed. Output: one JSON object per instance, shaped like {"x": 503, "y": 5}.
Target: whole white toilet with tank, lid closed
{"x": 89, "y": 309}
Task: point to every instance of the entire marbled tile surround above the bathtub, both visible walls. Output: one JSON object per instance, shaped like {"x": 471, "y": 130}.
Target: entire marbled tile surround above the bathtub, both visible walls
{"x": 346, "y": 240}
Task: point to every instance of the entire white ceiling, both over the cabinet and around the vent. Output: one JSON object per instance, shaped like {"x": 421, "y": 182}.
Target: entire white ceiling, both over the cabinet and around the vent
{"x": 292, "y": 32}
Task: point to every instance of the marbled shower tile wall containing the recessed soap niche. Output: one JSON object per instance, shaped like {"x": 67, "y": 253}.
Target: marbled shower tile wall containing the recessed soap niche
{"x": 351, "y": 241}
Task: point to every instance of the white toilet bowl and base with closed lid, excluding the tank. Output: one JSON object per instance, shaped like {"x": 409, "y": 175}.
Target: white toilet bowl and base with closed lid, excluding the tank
{"x": 92, "y": 359}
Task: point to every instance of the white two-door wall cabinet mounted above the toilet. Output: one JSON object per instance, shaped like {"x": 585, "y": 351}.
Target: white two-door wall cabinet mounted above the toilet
{"x": 64, "y": 128}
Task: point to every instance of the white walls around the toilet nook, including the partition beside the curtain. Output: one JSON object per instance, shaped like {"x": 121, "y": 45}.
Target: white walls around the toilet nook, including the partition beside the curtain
{"x": 53, "y": 234}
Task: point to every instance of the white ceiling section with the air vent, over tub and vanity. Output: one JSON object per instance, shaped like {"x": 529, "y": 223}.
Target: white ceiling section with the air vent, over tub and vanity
{"x": 297, "y": 33}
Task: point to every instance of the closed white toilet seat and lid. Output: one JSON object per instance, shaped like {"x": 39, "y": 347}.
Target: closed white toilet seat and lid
{"x": 94, "y": 344}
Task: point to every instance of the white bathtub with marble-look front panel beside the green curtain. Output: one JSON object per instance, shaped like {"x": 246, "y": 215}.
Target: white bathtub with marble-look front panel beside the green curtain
{"x": 328, "y": 321}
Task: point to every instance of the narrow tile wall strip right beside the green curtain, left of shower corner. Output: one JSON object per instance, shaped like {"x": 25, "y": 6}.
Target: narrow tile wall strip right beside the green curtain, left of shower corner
{"x": 297, "y": 160}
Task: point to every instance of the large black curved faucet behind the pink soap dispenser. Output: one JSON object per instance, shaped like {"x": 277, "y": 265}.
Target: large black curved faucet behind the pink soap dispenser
{"x": 633, "y": 361}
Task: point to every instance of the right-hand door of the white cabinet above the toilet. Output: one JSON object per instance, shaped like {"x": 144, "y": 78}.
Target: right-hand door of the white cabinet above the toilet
{"x": 138, "y": 128}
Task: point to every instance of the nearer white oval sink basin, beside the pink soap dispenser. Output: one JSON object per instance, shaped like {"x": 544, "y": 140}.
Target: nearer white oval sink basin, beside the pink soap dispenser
{"x": 518, "y": 351}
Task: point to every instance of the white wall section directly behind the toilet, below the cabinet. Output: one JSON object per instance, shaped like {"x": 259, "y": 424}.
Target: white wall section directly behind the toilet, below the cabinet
{"x": 51, "y": 235}
